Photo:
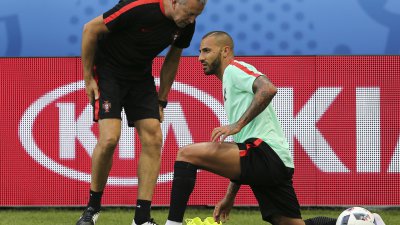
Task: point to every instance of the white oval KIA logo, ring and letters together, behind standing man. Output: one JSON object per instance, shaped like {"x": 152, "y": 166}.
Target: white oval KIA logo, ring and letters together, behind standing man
{"x": 86, "y": 137}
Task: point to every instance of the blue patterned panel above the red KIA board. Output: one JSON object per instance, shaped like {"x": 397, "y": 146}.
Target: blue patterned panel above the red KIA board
{"x": 259, "y": 27}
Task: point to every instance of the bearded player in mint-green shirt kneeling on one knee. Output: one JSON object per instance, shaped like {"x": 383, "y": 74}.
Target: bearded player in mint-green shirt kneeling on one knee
{"x": 260, "y": 157}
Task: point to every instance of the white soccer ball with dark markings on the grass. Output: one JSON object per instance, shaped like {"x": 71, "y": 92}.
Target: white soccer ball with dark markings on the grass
{"x": 355, "y": 216}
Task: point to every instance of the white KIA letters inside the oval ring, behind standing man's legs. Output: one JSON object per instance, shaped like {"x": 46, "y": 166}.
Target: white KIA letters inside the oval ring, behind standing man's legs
{"x": 174, "y": 117}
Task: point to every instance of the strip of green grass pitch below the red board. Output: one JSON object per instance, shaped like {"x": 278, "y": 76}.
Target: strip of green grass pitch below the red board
{"x": 122, "y": 216}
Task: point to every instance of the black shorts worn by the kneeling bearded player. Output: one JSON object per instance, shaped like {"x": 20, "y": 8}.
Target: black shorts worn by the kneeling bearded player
{"x": 269, "y": 179}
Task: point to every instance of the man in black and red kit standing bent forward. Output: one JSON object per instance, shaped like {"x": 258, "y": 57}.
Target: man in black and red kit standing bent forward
{"x": 118, "y": 48}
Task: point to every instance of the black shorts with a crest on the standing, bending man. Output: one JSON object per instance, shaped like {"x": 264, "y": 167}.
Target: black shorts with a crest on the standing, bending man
{"x": 139, "y": 99}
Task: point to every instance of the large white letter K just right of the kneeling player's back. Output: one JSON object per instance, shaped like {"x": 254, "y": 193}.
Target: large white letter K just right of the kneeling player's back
{"x": 303, "y": 126}
